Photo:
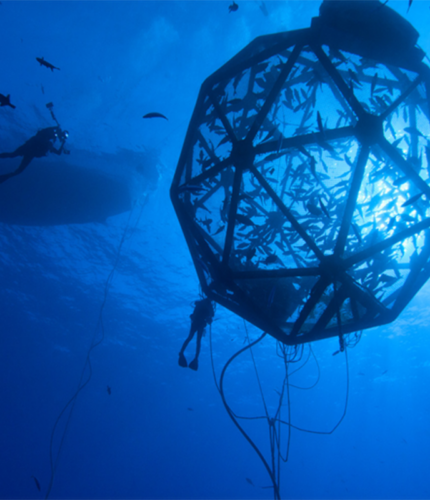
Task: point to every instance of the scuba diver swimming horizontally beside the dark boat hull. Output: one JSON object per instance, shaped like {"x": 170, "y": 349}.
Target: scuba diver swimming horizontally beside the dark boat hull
{"x": 36, "y": 147}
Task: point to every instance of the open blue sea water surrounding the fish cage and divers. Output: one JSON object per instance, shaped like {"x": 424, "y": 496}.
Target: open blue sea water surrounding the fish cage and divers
{"x": 93, "y": 234}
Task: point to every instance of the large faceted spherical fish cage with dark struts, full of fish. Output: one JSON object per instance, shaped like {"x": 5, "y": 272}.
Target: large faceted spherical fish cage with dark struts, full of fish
{"x": 303, "y": 184}
